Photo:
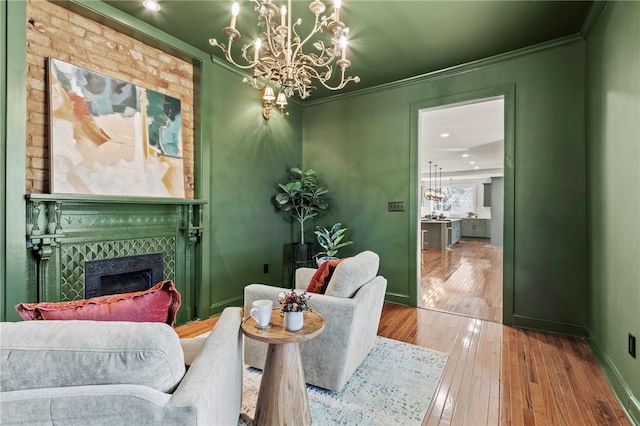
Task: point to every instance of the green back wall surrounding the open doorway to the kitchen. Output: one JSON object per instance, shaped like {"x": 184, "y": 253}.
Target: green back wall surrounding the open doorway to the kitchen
{"x": 362, "y": 146}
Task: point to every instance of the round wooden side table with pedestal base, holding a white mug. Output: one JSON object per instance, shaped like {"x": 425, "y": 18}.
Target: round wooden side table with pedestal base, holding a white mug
{"x": 282, "y": 398}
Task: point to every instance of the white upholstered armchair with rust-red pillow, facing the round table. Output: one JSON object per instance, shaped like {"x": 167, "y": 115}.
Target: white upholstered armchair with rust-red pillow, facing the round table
{"x": 351, "y": 307}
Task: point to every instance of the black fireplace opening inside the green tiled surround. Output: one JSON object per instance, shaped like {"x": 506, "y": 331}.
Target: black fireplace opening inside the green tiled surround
{"x": 122, "y": 274}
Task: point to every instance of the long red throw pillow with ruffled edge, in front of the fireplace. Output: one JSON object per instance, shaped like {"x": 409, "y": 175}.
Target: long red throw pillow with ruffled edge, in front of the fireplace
{"x": 157, "y": 304}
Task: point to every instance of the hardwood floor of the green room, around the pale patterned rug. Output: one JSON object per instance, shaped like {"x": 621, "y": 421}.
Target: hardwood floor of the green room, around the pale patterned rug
{"x": 496, "y": 374}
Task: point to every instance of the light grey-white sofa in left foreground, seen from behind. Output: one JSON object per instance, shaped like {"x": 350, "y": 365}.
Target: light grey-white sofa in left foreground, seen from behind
{"x": 118, "y": 373}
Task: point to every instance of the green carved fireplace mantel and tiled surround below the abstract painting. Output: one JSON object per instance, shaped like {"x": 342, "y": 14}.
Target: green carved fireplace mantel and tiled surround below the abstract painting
{"x": 65, "y": 231}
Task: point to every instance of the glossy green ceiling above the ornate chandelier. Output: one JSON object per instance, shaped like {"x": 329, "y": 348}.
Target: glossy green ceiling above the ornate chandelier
{"x": 389, "y": 40}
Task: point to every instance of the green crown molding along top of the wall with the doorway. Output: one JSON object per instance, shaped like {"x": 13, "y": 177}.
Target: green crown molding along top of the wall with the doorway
{"x": 457, "y": 69}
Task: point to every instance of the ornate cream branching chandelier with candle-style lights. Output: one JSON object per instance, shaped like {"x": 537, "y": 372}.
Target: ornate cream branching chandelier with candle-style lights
{"x": 278, "y": 57}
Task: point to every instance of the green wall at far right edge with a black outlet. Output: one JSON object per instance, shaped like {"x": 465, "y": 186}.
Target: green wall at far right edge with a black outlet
{"x": 613, "y": 153}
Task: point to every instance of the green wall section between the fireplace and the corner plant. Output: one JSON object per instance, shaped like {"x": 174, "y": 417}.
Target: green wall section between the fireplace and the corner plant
{"x": 249, "y": 156}
